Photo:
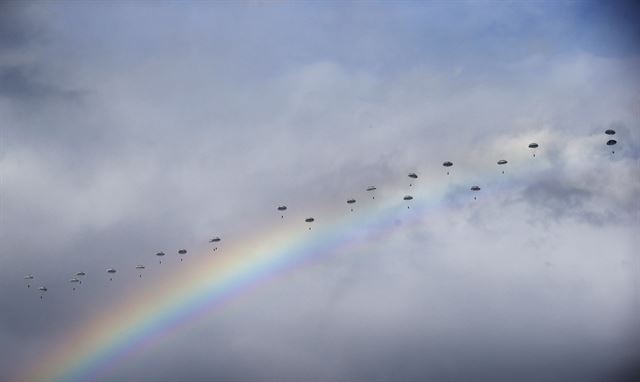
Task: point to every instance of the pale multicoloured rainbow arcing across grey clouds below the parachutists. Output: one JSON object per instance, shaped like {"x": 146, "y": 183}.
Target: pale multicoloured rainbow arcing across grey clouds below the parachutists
{"x": 210, "y": 282}
